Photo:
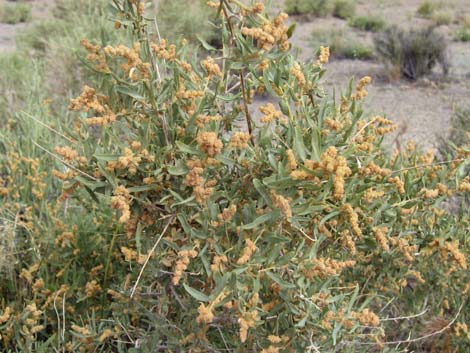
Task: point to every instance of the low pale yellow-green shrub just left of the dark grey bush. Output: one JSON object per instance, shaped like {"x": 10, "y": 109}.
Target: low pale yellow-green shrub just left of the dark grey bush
{"x": 342, "y": 44}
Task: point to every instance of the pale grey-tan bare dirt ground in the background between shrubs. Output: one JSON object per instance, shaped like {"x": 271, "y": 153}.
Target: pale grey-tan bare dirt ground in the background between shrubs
{"x": 422, "y": 109}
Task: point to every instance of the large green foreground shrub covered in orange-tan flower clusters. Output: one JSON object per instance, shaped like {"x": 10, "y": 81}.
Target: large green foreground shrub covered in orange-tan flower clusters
{"x": 190, "y": 223}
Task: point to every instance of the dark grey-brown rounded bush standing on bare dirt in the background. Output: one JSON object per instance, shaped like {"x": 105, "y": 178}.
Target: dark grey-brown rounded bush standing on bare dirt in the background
{"x": 412, "y": 53}
